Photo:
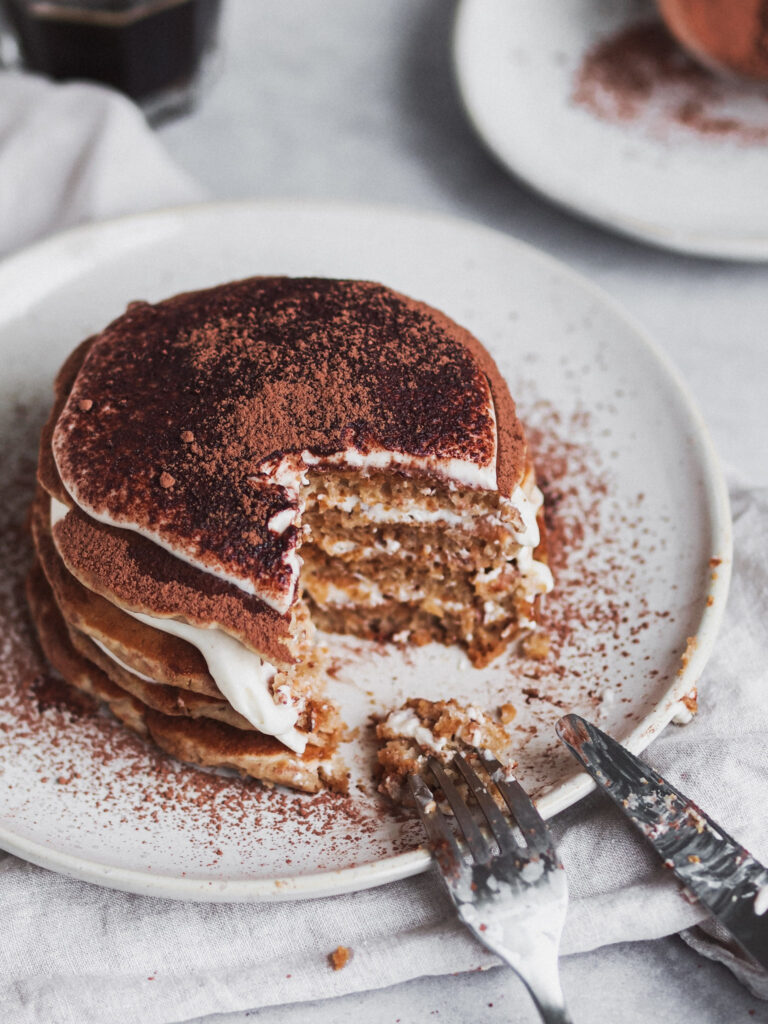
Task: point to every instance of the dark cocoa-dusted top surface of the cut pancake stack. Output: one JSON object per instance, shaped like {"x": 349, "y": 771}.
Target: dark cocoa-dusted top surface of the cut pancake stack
{"x": 257, "y": 373}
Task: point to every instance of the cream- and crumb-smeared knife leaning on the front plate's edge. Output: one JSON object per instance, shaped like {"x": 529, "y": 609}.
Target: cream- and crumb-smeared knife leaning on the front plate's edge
{"x": 723, "y": 876}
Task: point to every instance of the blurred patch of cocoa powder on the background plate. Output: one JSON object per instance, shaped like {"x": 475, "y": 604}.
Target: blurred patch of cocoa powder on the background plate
{"x": 643, "y": 75}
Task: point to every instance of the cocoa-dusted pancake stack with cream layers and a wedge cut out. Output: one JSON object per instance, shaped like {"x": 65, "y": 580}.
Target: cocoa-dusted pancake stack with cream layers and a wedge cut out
{"x": 225, "y": 468}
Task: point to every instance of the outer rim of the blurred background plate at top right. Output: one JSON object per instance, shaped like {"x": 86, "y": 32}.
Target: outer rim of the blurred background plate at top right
{"x": 702, "y": 245}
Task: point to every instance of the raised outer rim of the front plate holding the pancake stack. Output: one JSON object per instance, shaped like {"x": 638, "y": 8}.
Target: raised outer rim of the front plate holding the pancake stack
{"x": 574, "y": 788}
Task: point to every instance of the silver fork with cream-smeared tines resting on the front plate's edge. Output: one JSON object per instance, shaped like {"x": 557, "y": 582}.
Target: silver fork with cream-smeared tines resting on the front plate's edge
{"x": 511, "y": 897}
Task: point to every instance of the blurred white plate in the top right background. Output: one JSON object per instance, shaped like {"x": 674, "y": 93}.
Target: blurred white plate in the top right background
{"x": 700, "y": 194}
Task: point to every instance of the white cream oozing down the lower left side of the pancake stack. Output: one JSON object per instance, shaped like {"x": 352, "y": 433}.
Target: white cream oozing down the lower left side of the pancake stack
{"x": 242, "y": 675}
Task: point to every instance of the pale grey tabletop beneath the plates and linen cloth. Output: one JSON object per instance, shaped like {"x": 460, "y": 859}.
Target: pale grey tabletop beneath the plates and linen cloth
{"x": 356, "y": 101}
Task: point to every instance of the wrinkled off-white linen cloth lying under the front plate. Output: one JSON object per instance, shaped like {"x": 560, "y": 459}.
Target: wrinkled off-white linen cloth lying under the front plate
{"x": 75, "y": 954}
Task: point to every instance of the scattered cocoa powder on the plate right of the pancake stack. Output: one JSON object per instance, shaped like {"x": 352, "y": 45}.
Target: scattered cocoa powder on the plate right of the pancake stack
{"x": 596, "y": 616}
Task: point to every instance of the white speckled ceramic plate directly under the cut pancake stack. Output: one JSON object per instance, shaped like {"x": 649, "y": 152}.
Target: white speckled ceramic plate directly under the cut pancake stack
{"x": 629, "y": 473}
